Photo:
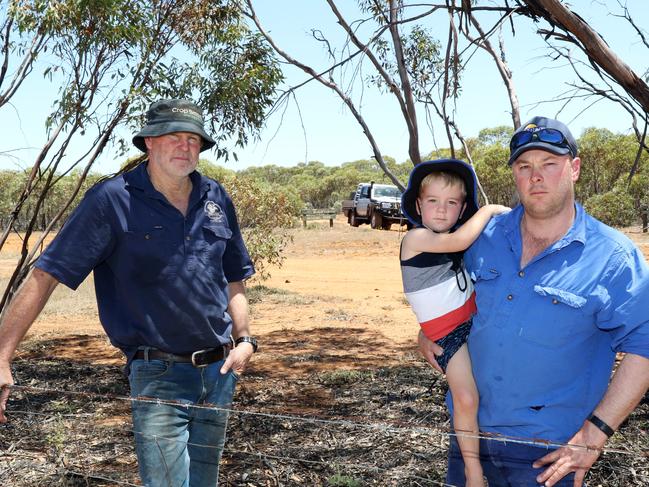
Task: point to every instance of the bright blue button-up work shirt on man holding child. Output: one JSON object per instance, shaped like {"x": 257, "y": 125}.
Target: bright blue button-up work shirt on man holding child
{"x": 544, "y": 338}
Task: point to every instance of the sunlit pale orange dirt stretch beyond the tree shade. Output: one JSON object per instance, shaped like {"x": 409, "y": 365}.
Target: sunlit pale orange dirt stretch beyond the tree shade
{"x": 342, "y": 283}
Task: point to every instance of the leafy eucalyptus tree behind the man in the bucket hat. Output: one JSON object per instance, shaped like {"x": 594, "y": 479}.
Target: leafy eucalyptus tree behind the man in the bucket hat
{"x": 106, "y": 61}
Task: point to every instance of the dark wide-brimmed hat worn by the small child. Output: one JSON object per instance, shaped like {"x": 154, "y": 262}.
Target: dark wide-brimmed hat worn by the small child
{"x": 423, "y": 169}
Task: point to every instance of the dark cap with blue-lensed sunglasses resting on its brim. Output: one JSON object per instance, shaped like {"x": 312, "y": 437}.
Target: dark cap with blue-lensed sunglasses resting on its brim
{"x": 542, "y": 133}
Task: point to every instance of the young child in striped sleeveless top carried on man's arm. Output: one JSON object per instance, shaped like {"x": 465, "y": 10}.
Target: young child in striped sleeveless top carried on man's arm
{"x": 441, "y": 202}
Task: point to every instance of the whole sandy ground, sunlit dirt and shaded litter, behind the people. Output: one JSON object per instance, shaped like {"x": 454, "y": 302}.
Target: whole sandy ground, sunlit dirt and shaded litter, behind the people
{"x": 338, "y": 351}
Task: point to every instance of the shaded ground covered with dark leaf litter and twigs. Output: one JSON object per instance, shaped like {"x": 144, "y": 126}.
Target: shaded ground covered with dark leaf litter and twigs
{"x": 334, "y": 422}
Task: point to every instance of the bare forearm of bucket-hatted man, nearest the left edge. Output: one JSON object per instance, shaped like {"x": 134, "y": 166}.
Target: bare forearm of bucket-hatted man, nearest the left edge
{"x": 23, "y": 310}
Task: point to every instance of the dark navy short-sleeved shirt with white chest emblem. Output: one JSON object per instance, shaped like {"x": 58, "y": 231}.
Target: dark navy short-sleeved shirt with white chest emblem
{"x": 161, "y": 278}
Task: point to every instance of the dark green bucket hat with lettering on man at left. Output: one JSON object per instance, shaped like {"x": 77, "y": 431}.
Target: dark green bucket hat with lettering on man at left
{"x": 167, "y": 116}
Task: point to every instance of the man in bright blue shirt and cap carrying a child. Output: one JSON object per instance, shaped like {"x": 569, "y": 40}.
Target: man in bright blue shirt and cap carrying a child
{"x": 558, "y": 294}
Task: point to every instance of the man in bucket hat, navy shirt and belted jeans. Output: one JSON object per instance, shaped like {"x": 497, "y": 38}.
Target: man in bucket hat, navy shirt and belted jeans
{"x": 169, "y": 264}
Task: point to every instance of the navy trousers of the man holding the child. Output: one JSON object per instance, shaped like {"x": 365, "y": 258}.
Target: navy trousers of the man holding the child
{"x": 504, "y": 464}
